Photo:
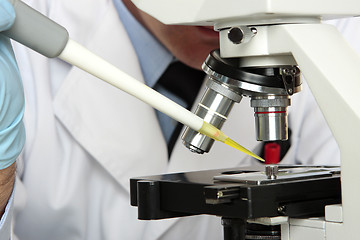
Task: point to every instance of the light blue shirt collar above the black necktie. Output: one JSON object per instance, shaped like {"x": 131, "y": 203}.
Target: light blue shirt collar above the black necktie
{"x": 154, "y": 58}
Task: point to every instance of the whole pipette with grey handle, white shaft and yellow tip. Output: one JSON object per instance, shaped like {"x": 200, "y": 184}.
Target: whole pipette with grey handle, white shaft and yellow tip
{"x": 50, "y": 39}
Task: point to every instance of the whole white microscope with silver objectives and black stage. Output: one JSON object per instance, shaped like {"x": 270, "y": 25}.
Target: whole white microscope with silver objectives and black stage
{"x": 264, "y": 45}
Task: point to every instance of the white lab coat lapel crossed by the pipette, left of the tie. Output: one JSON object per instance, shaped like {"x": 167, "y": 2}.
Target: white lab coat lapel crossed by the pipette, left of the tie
{"x": 119, "y": 131}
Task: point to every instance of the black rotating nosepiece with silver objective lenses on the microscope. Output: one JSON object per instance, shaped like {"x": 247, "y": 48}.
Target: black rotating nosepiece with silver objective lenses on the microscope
{"x": 269, "y": 88}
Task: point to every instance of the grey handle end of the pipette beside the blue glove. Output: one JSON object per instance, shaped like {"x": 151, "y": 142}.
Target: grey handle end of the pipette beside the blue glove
{"x": 37, "y": 31}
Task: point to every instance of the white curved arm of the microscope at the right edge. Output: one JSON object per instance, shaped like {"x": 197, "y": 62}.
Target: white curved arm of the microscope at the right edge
{"x": 332, "y": 70}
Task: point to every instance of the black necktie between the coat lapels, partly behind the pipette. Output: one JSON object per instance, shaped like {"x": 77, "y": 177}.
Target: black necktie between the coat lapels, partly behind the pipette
{"x": 183, "y": 82}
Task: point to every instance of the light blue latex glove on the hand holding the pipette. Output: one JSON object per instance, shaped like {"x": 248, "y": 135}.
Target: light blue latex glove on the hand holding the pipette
{"x": 12, "y": 132}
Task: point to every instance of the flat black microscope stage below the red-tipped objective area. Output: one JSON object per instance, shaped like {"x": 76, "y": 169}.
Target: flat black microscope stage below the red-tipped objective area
{"x": 241, "y": 193}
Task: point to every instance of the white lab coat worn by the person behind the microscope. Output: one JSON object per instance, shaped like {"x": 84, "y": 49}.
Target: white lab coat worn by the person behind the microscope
{"x": 86, "y": 139}
